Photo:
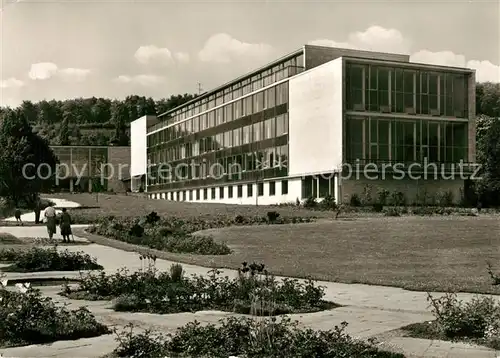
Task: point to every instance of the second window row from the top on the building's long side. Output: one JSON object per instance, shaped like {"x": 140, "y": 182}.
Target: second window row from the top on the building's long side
{"x": 256, "y": 103}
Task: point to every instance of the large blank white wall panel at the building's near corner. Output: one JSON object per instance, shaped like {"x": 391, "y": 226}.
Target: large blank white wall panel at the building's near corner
{"x": 315, "y": 120}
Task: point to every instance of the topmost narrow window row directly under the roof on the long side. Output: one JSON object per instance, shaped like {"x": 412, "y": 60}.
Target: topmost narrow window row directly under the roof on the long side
{"x": 260, "y": 80}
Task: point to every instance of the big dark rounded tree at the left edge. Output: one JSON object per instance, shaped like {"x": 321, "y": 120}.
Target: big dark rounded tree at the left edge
{"x": 25, "y": 160}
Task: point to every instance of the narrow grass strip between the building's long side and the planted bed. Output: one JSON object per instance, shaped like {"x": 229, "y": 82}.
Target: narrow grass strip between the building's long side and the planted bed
{"x": 121, "y": 205}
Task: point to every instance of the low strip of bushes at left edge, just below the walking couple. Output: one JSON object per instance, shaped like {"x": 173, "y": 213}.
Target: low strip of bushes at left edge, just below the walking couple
{"x": 47, "y": 259}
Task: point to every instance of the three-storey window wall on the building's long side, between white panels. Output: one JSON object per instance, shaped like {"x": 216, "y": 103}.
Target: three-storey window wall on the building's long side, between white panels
{"x": 252, "y": 142}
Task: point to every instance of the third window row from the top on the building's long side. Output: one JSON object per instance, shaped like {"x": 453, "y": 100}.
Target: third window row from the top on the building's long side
{"x": 256, "y": 132}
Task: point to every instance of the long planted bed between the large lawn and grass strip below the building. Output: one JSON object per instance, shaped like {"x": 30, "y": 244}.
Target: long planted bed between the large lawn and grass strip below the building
{"x": 176, "y": 235}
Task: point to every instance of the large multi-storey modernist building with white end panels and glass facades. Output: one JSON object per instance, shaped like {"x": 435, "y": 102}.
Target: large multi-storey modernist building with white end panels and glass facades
{"x": 288, "y": 130}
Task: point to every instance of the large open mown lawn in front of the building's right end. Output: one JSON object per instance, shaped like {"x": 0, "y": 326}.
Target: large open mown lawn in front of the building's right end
{"x": 404, "y": 252}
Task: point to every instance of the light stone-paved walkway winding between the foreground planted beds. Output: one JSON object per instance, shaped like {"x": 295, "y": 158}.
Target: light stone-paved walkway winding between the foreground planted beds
{"x": 370, "y": 310}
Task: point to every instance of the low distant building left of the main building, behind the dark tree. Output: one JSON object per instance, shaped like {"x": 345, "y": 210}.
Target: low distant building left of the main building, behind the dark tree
{"x": 92, "y": 168}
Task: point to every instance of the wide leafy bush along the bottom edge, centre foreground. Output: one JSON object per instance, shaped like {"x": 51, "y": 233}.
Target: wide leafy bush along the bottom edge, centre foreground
{"x": 247, "y": 337}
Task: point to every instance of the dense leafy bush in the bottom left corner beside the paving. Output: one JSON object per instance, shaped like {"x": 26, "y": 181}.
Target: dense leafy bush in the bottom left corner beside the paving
{"x": 28, "y": 318}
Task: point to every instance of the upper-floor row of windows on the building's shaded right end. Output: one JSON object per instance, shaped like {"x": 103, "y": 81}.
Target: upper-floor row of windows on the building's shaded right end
{"x": 379, "y": 88}
